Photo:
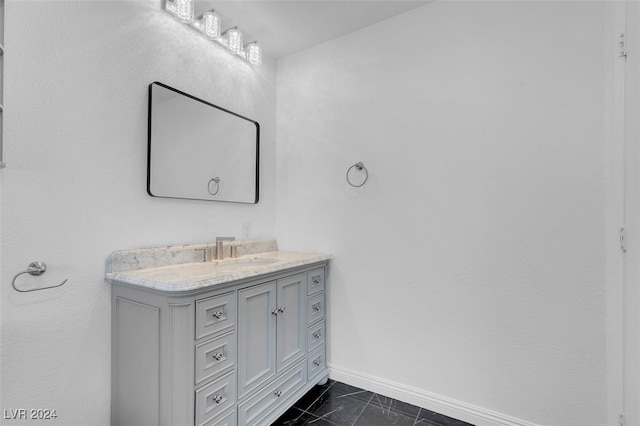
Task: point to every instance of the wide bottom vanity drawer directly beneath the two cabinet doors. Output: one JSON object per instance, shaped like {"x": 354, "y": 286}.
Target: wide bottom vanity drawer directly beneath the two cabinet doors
{"x": 256, "y": 408}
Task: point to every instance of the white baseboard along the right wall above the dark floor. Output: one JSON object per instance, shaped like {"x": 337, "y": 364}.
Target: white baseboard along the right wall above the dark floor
{"x": 441, "y": 404}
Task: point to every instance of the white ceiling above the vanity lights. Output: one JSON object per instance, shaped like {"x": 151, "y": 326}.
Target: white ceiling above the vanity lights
{"x": 282, "y": 27}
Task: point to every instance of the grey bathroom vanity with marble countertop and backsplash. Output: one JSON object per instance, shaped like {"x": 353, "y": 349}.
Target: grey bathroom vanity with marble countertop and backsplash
{"x": 225, "y": 342}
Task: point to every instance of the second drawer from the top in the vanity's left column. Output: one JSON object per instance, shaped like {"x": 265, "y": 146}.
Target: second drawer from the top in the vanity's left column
{"x": 215, "y": 357}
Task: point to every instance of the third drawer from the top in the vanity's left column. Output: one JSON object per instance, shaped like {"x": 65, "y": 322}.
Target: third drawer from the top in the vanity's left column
{"x": 214, "y": 398}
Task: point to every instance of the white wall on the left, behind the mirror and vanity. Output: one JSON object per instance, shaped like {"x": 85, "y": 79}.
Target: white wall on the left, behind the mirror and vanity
{"x": 76, "y": 76}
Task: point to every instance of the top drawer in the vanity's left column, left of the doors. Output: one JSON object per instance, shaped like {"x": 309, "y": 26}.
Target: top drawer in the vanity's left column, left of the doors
{"x": 215, "y": 315}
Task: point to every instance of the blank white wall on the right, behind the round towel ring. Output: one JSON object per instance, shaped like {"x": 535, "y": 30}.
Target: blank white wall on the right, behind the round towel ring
{"x": 471, "y": 264}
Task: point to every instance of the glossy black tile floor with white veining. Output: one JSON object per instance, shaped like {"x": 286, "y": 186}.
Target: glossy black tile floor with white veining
{"x": 339, "y": 404}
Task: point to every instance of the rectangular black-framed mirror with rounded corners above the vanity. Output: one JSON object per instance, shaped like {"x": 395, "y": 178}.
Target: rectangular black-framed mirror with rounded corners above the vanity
{"x": 200, "y": 151}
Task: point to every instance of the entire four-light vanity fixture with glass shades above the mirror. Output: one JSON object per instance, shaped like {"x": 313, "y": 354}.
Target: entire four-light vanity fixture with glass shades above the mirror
{"x": 209, "y": 25}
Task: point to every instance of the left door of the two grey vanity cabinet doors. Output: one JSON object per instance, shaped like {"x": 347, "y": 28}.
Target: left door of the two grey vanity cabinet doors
{"x": 257, "y": 317}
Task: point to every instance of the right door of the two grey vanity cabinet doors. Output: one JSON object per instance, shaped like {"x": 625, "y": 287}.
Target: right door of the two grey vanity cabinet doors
{"x": 291, "y": 331}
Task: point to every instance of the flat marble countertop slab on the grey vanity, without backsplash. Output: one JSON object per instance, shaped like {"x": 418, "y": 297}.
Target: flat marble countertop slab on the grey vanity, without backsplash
{"x": 198, "y": 275}
